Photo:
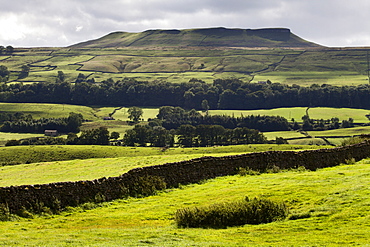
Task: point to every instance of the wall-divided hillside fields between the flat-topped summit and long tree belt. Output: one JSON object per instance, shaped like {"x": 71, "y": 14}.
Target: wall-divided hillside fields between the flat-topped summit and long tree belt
{"x": 303, "y": 67}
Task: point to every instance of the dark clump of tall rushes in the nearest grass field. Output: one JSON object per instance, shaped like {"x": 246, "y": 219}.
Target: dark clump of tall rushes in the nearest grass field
{"x": 222, "y": 215}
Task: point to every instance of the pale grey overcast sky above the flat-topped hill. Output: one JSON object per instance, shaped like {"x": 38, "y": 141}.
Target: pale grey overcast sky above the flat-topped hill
{"x": 26, "y": 23}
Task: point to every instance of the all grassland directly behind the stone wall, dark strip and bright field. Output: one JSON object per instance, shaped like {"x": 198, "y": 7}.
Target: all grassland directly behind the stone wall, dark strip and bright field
{"x": 92, "y": 162}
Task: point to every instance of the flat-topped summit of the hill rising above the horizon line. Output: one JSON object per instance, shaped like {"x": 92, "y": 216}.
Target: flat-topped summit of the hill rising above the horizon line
{"x": 207, "y": 37}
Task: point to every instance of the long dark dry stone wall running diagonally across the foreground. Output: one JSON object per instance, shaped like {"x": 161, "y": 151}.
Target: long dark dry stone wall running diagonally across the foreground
{"x": 60, "y": 195}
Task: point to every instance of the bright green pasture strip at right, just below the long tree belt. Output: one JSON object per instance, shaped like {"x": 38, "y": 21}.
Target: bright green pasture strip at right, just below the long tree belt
{"x": 297, "y": 113}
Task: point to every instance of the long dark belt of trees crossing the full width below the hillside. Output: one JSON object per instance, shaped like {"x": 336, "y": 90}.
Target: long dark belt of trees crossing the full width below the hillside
{"x": 221, "y": 94}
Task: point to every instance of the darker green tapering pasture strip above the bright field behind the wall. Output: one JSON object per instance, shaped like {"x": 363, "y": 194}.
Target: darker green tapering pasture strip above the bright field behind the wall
{"x": 34, "y": 154}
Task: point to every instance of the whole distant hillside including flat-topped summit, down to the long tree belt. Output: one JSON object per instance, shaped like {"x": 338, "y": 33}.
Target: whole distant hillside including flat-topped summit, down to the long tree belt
{"x": 206, "y": 54}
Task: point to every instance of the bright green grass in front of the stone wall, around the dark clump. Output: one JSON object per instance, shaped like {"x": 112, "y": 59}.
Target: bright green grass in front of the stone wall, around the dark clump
{"x": 334, "y": 216}
